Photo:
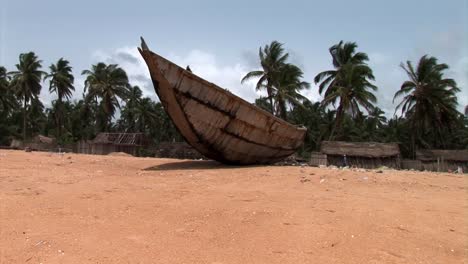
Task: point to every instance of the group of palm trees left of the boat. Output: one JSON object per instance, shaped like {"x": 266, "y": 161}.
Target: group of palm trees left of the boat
{"x": 107, "y": 89}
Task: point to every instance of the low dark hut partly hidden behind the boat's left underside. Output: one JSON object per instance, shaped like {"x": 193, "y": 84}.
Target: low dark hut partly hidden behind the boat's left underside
{"x": 177, "y": 150}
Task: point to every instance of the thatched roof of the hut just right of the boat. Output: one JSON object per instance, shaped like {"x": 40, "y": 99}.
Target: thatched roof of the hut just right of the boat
{"x": 360, "y": 149}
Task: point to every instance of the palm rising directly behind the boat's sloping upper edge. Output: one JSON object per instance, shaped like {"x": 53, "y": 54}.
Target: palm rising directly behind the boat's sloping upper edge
{"x": 272, "y": 58}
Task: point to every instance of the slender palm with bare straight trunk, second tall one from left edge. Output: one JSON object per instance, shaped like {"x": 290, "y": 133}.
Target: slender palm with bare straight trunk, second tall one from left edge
{"x": 61, "y": 83}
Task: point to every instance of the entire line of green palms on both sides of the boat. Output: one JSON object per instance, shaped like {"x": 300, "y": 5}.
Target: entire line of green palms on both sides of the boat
{"x": 426, "y": 103}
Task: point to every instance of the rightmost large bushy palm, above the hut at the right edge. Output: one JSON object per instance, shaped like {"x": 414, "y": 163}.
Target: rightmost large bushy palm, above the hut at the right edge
{"x": 429, "y": 100}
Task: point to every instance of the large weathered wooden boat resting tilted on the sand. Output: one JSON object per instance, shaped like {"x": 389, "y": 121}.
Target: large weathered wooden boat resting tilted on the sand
{"x": 218, "y": 124}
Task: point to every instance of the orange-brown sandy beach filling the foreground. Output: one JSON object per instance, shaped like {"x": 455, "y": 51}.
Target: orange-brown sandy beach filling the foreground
{"x": 114, "y": 209}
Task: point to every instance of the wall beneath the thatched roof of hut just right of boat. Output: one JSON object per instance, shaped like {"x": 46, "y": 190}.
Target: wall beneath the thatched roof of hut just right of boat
{"x": 364, "y": 162}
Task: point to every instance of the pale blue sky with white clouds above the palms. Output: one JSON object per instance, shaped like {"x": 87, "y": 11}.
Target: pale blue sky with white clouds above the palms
{"x": 220, "y": 39}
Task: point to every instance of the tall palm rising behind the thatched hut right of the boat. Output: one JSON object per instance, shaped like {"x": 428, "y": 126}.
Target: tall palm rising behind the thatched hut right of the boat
{"x": 348, "y": 84}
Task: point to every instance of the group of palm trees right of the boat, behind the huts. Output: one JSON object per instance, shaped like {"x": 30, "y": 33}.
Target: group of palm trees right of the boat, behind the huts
{"x": 428, "y": 106}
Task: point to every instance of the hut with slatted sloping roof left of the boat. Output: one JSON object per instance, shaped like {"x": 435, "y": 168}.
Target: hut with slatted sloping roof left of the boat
{"x": 105, "y": 143}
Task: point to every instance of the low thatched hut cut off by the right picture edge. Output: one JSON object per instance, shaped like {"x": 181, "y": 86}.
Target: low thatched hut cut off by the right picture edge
{"x": 443, "y": 160}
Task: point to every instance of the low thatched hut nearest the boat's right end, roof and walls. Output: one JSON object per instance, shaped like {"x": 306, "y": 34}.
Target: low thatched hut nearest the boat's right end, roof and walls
{"x": 367, "y": 155}
